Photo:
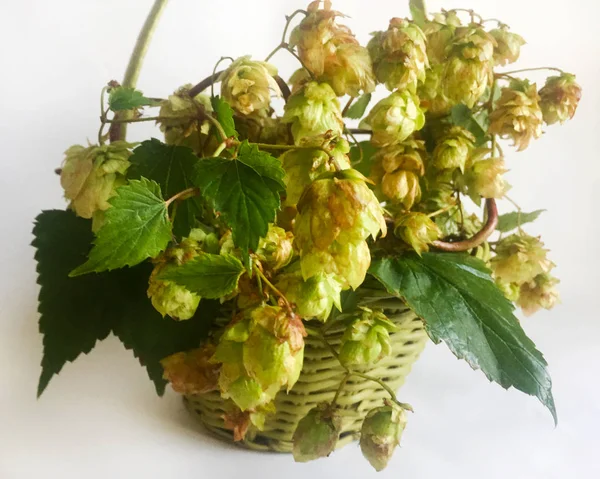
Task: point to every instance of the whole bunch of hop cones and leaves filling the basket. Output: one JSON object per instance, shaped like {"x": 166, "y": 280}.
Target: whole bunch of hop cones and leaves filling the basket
{"x": 218, "y": 252}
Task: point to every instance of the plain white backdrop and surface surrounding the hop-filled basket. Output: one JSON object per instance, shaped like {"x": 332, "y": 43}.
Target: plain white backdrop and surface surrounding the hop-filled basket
{"x": 101, "y": 419}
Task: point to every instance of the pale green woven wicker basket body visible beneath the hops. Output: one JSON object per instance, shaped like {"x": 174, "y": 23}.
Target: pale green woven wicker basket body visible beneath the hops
{"x": 321, "y": 375}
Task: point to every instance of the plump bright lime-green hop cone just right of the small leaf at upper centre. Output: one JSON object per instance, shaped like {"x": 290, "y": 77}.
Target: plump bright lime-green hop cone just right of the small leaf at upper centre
{"x": 395, "y": 118}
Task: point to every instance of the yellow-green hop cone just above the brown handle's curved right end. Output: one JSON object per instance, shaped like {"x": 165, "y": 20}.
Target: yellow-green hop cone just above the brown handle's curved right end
{"x": 484, "y": 179}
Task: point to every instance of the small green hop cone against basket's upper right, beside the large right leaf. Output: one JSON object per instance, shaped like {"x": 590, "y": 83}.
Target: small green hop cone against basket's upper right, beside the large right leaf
{"x": 366, "y": 339}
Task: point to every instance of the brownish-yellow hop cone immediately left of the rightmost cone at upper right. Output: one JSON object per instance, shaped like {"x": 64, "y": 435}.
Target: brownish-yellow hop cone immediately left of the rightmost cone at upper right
{"x": 518, "y": 114}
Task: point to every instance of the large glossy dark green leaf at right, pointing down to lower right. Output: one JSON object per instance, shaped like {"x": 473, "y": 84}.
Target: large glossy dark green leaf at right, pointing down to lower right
{"x": 461, "y": 305}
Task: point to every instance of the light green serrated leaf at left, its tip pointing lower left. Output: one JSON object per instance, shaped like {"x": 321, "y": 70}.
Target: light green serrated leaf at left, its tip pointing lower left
{"x": 136, "y": 227}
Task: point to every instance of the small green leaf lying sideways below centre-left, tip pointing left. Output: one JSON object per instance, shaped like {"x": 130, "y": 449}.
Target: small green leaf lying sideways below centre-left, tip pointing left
{"x": 209, "y": 275}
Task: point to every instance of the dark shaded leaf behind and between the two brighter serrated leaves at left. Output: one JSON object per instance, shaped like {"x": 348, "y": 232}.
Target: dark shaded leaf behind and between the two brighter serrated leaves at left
{"x": 172, "y": 167}
